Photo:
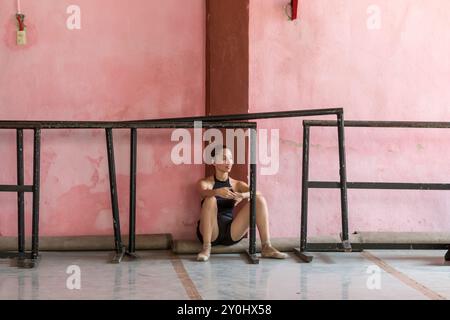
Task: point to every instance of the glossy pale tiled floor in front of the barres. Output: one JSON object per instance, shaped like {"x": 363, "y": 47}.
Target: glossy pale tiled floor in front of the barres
{"x": 153, "y": 276}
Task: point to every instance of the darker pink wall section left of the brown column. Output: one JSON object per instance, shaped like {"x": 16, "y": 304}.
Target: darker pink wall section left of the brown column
{"x": 130, "y": 60}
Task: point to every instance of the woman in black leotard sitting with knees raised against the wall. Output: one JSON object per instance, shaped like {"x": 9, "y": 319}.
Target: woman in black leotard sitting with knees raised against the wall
{"x": 220, "y": 194}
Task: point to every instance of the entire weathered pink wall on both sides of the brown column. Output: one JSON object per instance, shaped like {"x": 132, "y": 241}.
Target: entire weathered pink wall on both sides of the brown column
{"x": 145, "y": 58}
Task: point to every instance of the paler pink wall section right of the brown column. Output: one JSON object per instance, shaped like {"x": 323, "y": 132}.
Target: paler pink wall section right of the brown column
{"x": 329, "y": 58}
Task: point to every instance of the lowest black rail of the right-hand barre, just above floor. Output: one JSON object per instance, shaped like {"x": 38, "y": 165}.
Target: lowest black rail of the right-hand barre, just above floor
{"x": 332, "y": 247}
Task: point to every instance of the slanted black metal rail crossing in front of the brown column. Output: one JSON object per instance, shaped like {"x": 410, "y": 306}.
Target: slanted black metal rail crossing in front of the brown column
{"x": 253, "y": 116}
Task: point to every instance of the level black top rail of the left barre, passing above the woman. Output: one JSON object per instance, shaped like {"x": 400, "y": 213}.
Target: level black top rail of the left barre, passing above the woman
{"x": 118, "y": 125}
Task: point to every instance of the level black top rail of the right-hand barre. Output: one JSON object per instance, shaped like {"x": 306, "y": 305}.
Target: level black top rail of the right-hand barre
{"x": 379, "y": 124}
